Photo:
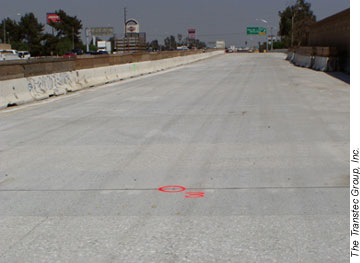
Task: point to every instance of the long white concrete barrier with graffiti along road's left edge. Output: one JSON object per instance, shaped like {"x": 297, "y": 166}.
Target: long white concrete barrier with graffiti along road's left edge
{"x": 23, "y": 90}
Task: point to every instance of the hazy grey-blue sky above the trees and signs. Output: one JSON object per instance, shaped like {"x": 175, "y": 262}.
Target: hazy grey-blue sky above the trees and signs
{"x": 213, "y": 19}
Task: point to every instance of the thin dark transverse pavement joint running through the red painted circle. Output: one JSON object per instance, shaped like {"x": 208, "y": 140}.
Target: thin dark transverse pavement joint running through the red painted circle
{"x": 189, "y": 188}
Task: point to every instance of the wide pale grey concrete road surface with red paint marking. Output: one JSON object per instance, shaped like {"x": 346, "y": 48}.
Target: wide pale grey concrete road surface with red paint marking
{"x": 261, "y": 147}
